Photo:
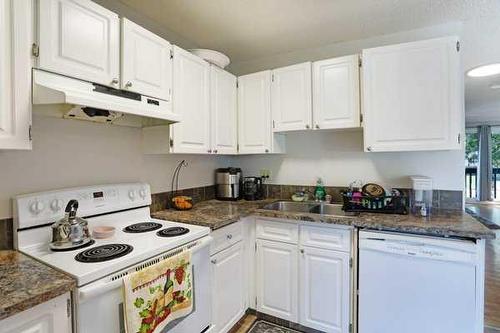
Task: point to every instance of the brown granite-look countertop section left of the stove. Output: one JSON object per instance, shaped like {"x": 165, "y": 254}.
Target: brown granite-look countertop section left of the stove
{"x": 25, "y": 282}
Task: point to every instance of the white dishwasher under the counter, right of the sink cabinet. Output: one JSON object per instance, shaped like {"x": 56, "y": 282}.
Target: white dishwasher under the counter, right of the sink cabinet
{"x": 410, "y": 284}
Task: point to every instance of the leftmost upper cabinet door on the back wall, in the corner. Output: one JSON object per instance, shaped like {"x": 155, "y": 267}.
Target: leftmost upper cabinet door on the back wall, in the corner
{"x": 254, "y": 113}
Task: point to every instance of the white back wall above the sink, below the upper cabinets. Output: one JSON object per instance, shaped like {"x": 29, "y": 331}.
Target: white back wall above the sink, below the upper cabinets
{"x": 339, "y": 159}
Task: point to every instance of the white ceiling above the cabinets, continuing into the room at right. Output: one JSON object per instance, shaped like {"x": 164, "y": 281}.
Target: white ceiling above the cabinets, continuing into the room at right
{"x": 251, "y": 29}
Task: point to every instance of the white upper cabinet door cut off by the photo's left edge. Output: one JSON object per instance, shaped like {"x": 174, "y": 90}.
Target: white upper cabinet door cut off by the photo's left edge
{"x": 15, "y": 74}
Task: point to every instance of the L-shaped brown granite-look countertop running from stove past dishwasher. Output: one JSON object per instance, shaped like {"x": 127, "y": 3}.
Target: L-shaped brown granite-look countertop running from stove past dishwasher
{"x": 217, "y": 214}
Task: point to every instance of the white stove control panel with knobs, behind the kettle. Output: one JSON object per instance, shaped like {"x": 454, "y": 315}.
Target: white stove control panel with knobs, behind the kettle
{"x": 47, "y": 207}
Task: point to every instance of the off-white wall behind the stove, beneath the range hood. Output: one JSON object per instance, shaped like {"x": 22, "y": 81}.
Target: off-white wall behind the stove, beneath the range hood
{"x": 70, "y": 153}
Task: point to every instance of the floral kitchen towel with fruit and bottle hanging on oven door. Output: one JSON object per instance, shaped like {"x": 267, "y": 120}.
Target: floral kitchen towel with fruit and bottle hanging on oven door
{"x": 158, "y": 294}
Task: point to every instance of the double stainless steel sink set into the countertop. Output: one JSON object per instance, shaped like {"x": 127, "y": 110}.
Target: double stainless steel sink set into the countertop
{"x": 309, "y": 207}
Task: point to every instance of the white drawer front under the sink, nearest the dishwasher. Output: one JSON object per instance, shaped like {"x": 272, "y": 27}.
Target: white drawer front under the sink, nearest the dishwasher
{"x": 325, "y": 238}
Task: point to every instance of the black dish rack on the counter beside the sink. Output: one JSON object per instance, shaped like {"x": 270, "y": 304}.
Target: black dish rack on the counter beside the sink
{"x": 385, "y": 204}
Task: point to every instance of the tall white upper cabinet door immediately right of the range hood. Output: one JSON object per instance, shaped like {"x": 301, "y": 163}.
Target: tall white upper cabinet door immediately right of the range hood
{"x": 191, "y": 101}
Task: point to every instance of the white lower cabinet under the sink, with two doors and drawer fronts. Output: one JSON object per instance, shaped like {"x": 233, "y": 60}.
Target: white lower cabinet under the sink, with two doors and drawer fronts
{"x": 309, "y": 285}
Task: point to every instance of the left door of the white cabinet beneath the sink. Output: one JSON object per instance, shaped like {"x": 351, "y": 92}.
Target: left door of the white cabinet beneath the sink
{"x": 277, "y": 279}
